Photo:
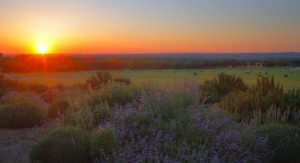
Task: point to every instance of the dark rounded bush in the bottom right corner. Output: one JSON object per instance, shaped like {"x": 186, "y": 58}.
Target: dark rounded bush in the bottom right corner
{"x": 284, "y": 140}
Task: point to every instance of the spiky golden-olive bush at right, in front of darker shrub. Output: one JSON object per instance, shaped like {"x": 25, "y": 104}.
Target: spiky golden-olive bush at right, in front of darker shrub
{"x": 261, "y": 97}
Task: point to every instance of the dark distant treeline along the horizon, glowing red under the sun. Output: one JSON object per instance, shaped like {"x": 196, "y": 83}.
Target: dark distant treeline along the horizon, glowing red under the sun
{"x": 56, "y": 63}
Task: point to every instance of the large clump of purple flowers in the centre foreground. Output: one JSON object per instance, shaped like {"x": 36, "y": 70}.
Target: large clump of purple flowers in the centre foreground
{"x": 165, "y": 125}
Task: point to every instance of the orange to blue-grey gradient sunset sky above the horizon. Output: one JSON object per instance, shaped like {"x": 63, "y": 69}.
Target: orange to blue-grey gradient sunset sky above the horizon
{"x": 150, "y": 26}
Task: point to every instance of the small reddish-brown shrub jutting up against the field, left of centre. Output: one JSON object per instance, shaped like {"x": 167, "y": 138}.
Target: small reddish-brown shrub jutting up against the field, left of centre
{"x": 100, "y": 80}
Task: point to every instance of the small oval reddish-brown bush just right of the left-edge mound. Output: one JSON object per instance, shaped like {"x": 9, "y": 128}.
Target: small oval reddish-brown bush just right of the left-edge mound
{"x": 58, "y": 108}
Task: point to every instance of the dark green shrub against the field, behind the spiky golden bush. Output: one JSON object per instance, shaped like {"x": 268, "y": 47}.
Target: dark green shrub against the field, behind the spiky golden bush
{"x": 221, "y": 86}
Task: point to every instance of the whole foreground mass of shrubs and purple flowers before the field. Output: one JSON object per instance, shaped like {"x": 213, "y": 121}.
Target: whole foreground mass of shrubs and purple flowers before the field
{"x": 113, "y": 120}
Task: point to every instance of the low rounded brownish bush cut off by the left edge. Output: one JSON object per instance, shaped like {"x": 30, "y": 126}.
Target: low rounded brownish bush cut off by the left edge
{"x": 21, "y": 115}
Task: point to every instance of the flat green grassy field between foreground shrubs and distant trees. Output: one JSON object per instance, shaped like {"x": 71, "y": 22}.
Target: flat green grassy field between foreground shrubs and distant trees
{"x": 165, "y": 76}
